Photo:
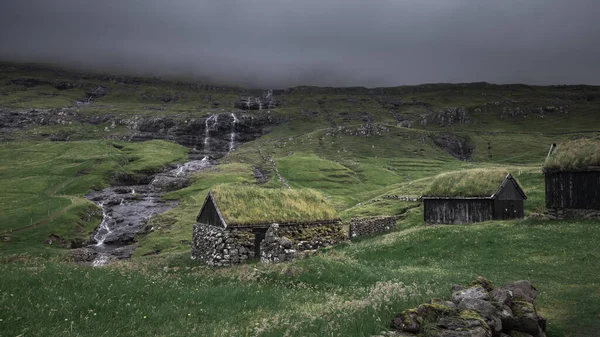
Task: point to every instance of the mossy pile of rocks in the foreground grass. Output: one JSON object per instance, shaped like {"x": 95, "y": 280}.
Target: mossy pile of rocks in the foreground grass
{"x": 479, "y": 310}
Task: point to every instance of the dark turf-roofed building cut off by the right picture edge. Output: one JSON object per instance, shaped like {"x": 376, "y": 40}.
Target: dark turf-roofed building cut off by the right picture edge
{"x": 572, "y": 174}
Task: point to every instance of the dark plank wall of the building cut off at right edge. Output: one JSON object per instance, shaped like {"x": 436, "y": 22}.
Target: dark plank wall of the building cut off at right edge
{"x": 578, "y": 190}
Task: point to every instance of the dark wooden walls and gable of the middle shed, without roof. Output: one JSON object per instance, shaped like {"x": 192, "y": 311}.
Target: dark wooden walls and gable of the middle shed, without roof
{"x": 505, "y": 203}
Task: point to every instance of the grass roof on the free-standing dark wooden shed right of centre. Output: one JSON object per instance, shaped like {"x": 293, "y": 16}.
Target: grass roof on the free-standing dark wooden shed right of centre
{"x": 467, "y": 183}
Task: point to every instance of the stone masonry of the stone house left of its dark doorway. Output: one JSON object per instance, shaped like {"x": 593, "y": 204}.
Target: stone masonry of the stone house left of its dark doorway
{"x": 218, "y": 246}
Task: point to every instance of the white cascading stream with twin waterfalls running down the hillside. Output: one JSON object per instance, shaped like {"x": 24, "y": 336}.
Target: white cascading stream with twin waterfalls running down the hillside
{"x": 126, "y": 209}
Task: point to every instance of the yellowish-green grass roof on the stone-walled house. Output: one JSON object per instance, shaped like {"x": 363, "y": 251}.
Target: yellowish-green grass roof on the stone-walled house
{"x": 250, "y": 205}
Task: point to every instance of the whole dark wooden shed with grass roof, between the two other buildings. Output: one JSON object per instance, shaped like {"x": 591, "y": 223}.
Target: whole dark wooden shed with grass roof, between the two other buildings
{"x": 473, "y": 196}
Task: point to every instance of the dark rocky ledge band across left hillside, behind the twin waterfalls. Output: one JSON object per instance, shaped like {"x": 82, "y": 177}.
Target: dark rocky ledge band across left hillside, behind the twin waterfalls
{"x": 211, "y": 134}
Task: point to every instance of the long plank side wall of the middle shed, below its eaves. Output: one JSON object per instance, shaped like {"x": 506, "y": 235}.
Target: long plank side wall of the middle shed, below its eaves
{"x": 457, "y": 211}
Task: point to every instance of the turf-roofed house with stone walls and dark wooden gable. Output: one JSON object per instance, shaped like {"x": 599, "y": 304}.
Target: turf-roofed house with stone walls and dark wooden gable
{"x": 233, "y": 223}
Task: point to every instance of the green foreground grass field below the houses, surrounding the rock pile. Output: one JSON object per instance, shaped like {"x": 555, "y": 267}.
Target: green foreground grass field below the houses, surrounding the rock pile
{"x": 352, "y": 290}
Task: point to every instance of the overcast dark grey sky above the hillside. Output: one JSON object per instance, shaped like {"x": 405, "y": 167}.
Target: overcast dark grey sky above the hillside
{"x": 314, "y": 42}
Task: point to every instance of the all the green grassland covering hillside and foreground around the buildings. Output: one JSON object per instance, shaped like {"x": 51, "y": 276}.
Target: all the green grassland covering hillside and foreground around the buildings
{"x": 353, "y": 289}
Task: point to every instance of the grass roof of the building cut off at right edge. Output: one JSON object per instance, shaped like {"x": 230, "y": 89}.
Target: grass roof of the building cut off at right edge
{"x": 575, "y": 155}
